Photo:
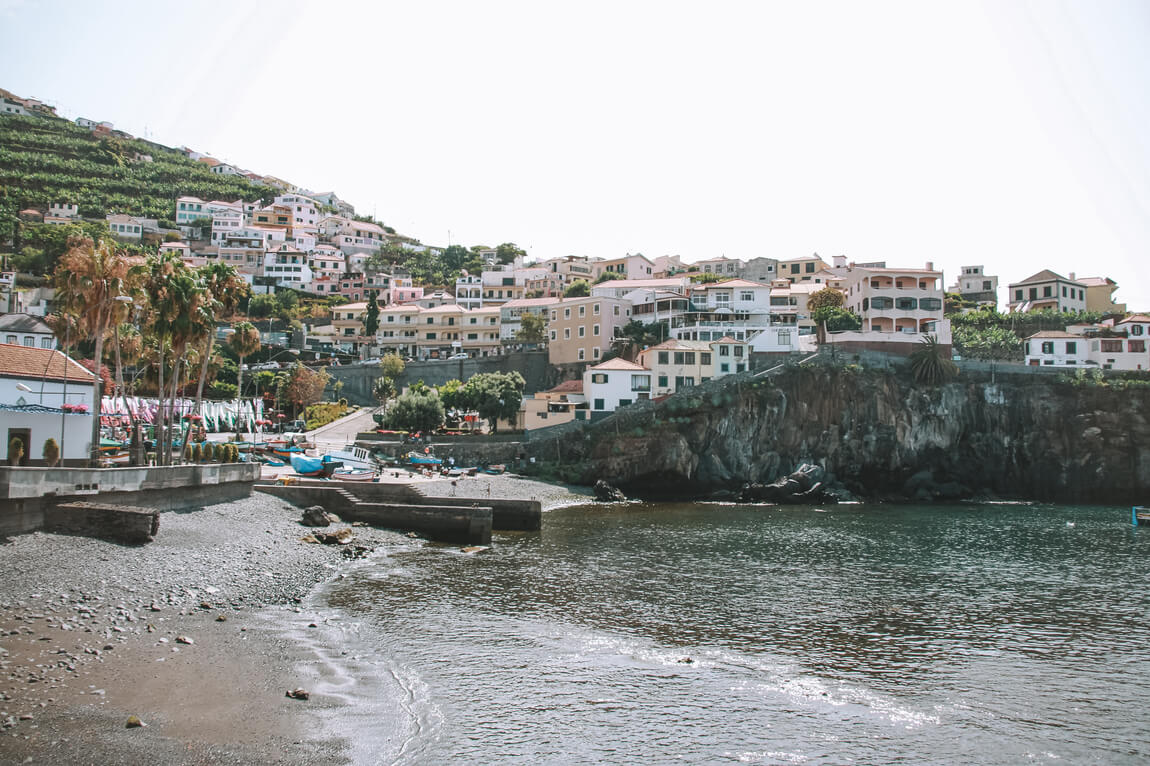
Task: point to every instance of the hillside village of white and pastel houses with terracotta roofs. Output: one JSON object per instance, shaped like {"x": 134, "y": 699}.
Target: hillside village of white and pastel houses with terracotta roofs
{"x": 616, "y": 331}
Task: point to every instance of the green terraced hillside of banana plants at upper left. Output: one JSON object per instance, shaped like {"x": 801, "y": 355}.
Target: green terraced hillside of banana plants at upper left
{"x": 50, "y": 160}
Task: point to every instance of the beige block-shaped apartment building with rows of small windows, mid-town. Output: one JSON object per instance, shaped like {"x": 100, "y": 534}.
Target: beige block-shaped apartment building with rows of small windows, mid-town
{"x": 581, "y": 330}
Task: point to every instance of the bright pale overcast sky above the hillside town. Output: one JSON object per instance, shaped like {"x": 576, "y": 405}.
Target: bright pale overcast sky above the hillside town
{"x": 1010, "y": 134}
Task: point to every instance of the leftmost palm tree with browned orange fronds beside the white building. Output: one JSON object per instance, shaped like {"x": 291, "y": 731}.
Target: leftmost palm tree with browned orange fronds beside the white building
{"x": 89, "y": 279}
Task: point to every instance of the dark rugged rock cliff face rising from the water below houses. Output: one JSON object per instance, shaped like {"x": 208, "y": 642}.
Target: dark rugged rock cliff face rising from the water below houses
{"x": 880, "y": 435}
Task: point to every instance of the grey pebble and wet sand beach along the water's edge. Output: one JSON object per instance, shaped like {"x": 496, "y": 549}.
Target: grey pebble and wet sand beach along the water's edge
{"x": 91, "y": 639}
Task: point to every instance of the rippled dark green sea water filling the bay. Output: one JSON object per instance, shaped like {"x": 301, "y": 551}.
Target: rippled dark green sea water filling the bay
{"x": 710, "y": 634}
